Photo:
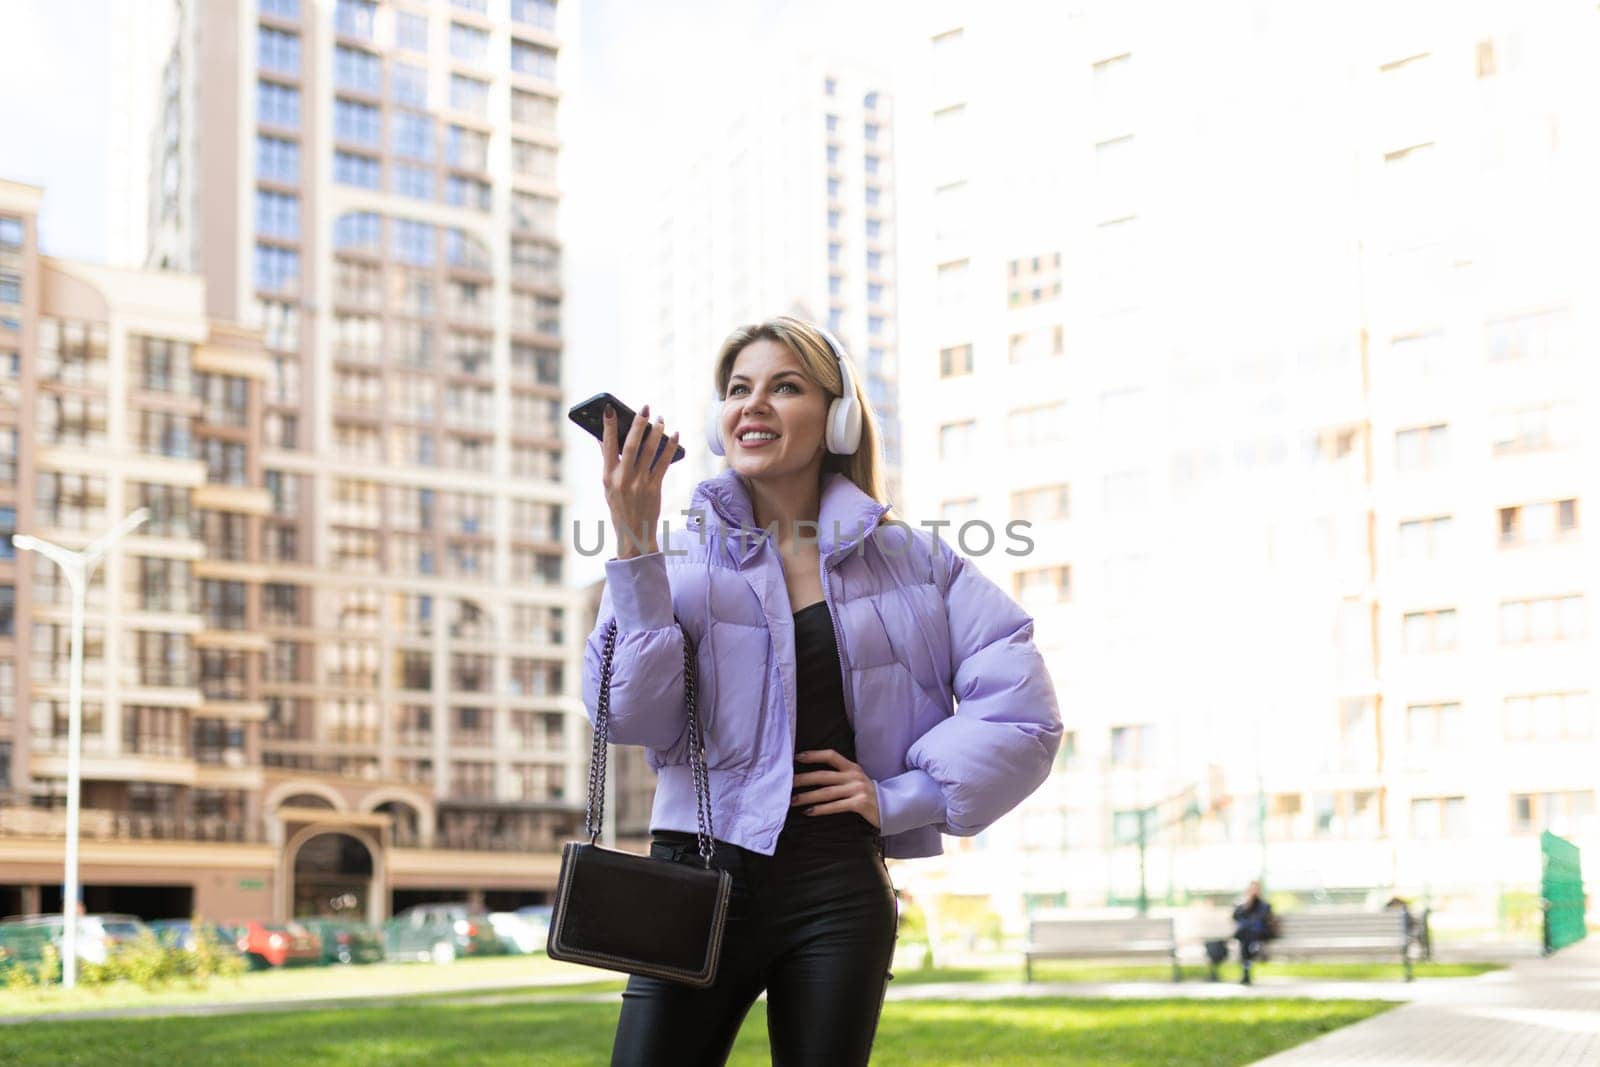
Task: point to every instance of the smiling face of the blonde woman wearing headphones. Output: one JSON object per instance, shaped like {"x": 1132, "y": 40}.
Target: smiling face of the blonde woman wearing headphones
{"x": 769, "y": 391}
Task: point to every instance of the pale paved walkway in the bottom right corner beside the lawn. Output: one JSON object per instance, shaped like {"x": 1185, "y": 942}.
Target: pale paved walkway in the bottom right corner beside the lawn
{"x": 1540, "y": 1012}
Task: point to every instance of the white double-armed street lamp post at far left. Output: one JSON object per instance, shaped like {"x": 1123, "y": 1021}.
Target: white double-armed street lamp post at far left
{"x": 78, "y": 569}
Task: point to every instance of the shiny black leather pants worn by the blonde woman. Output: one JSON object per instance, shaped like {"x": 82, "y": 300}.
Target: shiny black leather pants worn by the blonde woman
{"x": 814, "y": 925}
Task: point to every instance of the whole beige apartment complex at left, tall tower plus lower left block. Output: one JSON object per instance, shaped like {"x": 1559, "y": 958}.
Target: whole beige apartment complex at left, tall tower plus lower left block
{"x": 364, "y": 649}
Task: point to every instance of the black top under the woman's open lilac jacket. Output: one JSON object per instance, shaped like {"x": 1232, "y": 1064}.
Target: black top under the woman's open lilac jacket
{"x": 820, "y": 719}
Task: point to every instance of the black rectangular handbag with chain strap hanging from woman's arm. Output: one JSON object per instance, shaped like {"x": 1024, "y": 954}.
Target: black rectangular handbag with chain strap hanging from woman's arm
{"x": 639, "y": 914}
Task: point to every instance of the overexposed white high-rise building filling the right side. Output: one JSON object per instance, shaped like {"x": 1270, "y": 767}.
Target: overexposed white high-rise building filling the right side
{"x": 1274, "y": 329}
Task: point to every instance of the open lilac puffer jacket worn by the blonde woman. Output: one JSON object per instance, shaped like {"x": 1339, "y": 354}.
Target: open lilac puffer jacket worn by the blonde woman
{"x": 916, "y": 628}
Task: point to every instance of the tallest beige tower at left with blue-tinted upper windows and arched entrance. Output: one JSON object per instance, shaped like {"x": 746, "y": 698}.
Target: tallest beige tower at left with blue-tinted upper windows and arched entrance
{"x": 374, "y": 186}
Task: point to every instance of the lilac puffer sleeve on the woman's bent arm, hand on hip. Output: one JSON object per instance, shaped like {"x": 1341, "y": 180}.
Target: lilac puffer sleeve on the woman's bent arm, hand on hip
{"x": 999, "y": 746}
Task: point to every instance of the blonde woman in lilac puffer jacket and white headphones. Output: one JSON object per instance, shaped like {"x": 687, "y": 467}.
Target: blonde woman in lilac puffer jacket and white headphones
{"x": 863, "y": 690}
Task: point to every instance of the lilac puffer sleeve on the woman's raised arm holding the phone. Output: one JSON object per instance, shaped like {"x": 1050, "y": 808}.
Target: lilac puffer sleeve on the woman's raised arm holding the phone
{"x": 647, "y": 665}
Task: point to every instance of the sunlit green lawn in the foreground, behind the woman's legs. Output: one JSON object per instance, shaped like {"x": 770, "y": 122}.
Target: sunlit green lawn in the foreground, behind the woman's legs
{"x": 914, "y": 1034}
